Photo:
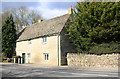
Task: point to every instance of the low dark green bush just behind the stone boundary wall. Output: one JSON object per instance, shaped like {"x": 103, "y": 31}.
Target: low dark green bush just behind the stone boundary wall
{"x": 105, "y": 48}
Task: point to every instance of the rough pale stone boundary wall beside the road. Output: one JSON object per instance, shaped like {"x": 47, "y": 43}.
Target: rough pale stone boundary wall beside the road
{"x": 91, "y": 60}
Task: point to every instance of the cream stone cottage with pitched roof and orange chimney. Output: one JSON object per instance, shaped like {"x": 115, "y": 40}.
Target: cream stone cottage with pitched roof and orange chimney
{"x": 46, "y": 42}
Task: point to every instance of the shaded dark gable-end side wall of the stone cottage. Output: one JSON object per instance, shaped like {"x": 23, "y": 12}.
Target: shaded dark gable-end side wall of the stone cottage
{"x": 66, "y": 46}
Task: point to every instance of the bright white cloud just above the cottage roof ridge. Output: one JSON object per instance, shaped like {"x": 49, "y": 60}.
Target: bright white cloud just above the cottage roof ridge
{"x": 48, "y": 12}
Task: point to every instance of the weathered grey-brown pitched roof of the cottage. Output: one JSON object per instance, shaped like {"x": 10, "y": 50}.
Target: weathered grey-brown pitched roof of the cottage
{"x": 46, "y": 27}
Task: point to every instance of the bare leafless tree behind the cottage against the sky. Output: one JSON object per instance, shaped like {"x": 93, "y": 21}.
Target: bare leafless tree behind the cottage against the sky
{"x": 22, "y": 16}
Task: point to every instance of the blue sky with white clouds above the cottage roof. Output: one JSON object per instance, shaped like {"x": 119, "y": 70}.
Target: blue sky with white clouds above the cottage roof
{"x": 48, "y": 10}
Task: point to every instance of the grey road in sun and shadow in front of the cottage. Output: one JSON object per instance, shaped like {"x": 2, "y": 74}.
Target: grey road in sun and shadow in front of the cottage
{"x": 15, "y": 70}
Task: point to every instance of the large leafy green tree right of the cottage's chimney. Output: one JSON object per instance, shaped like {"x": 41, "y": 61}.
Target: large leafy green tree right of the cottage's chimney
{"x": 94, "y": 23}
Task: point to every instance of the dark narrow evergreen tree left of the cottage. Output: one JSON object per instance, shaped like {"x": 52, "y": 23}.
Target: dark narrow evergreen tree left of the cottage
{"x": 8, "y": 37}
